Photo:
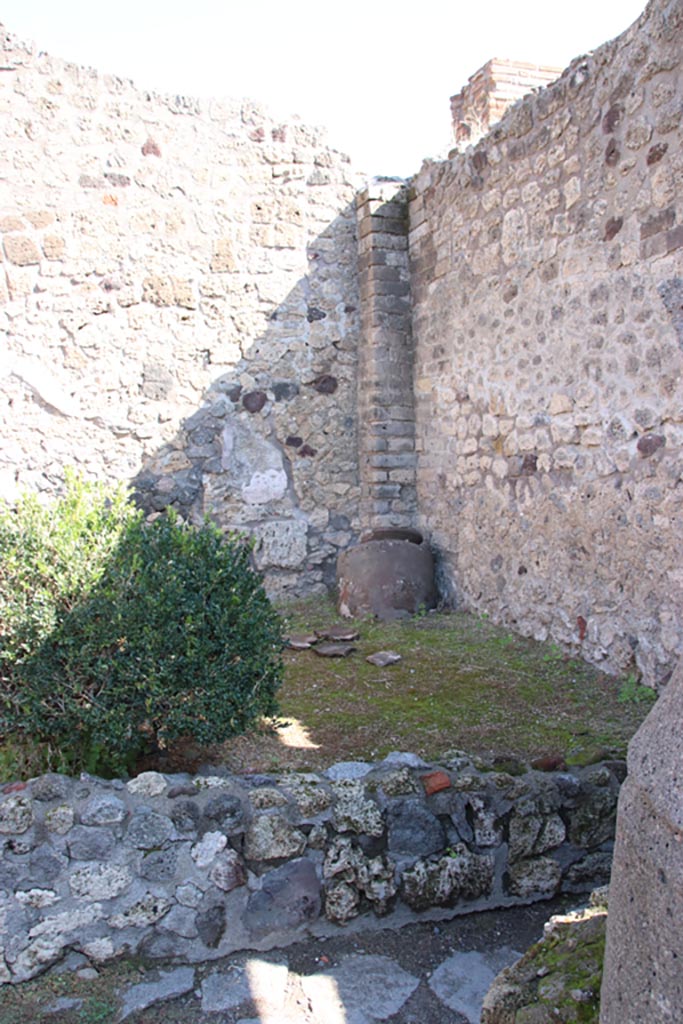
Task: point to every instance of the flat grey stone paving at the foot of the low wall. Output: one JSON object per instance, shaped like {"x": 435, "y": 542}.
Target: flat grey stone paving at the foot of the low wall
{"x": 434, "y": 972}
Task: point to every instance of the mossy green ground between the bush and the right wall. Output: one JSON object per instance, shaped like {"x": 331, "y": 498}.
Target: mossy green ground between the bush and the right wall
{"x": 463, "y": 684}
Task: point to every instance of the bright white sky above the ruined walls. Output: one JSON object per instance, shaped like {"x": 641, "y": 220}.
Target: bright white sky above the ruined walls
{"x": 377, "y": 75}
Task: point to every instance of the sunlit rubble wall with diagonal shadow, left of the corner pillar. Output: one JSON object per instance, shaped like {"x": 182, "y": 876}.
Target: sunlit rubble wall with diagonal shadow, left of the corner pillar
{"x": 180, "y": 305}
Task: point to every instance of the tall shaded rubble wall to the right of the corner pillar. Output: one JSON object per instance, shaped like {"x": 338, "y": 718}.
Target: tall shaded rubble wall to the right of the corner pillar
{"x": 547, "y": 282}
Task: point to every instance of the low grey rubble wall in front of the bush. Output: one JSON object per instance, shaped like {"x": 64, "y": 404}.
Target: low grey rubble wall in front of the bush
{"x": 194, "y": 868}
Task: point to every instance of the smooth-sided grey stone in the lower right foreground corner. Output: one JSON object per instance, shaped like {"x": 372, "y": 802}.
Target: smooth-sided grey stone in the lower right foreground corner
{"x": 644, "y": 980}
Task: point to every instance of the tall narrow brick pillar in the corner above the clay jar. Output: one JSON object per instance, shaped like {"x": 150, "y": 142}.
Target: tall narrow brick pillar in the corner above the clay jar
{"x": 387, "y": 409}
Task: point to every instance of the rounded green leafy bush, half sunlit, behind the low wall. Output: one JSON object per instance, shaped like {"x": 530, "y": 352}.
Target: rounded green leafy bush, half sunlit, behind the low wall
{"x": 117, "y": 633}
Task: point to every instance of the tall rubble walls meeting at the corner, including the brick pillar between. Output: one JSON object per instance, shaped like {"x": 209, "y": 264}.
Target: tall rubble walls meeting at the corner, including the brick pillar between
{"x": 199, "y": 301}
